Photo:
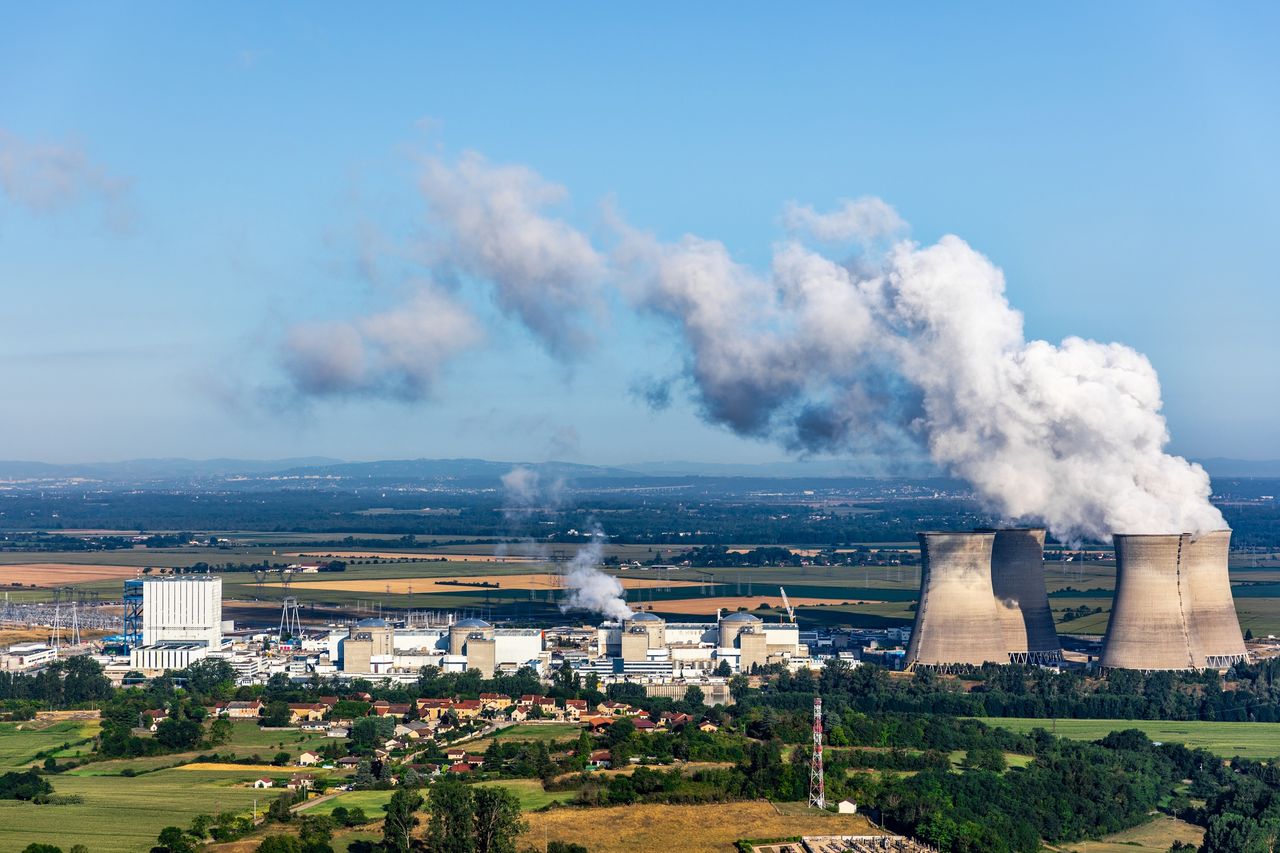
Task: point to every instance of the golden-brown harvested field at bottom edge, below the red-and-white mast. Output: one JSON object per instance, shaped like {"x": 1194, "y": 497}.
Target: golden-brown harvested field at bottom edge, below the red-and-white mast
{"x": 693, "y": 829}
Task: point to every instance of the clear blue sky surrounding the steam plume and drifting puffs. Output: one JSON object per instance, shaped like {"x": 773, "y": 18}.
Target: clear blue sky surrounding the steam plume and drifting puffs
{"x": 1117, "y": 161}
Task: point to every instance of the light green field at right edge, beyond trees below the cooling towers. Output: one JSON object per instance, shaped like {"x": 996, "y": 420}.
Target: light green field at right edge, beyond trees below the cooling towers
{"x": 1227, "y": 740}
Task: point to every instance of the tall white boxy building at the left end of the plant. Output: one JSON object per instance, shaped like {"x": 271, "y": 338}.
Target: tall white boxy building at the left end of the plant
{"x": 182, "y": 609}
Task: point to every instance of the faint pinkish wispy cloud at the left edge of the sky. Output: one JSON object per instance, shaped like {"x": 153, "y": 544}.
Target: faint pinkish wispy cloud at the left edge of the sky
{"x": 52, "y": 177}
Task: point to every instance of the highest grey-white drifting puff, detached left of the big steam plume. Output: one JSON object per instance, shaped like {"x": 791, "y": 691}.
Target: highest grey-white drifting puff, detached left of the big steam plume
{"x": 491, "y": 222}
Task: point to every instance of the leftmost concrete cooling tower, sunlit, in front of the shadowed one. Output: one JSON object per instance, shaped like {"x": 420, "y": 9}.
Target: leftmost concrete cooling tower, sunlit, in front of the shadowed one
{"x": 957, "y": 623}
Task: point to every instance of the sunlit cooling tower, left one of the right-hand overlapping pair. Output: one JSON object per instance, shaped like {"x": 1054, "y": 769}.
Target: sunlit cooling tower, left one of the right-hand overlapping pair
{"x": 1150, "y": 627}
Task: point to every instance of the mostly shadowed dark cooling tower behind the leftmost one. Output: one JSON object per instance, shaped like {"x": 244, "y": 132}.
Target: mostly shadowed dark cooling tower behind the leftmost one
{"x": 1022, "y": 601}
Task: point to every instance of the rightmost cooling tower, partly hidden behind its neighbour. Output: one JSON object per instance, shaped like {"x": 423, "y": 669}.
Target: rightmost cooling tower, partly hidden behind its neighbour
{"x": 1215, "y": 630}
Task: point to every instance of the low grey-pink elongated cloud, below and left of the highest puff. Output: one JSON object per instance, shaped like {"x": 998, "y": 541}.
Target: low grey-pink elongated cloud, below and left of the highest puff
{"x": 397, "y": 354}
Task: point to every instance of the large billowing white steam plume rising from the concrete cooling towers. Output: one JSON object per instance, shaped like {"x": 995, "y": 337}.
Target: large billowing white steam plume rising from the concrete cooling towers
{"x": 921, "y": 345}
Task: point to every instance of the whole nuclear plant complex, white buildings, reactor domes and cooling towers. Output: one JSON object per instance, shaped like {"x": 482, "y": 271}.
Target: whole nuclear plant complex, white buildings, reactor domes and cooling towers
{"x": 982, "y": 600}
